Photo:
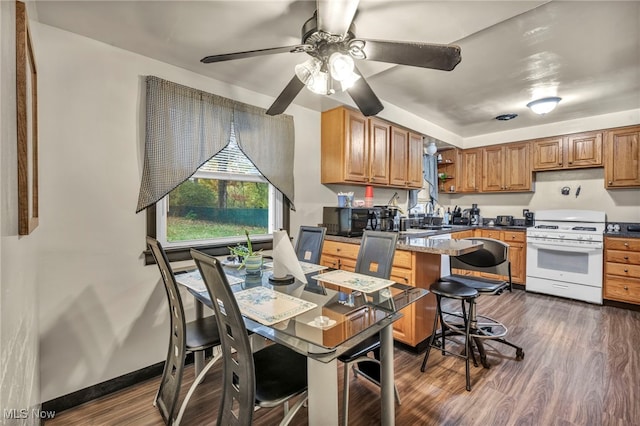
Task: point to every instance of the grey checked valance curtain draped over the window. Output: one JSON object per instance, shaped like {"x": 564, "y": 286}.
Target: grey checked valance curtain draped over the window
{"x": 185, "y": 127}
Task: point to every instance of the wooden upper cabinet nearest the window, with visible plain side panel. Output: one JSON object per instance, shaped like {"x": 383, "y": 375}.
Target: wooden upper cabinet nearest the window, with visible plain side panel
{"x": 354, "y": 149}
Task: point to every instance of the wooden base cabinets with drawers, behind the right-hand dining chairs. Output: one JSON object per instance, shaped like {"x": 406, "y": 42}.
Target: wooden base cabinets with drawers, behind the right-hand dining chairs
{"x": 410, "y": 268}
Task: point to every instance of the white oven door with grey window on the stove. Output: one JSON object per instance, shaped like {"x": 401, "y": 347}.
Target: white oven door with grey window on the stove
{"x": 565, "y": 261}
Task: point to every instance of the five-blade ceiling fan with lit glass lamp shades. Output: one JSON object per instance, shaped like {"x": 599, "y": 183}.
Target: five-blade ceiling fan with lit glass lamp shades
{"x": 328, "y": 38}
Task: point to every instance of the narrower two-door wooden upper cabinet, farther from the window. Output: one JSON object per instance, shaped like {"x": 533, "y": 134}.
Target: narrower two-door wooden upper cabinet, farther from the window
{"x": 405, "y": 163}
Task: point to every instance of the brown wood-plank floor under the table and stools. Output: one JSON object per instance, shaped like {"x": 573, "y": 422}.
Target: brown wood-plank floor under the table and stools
{"x": 581, "y": 367}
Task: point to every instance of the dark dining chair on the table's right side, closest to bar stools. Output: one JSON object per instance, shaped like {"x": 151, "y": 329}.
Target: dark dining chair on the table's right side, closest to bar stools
{"x": 375, "y": 258}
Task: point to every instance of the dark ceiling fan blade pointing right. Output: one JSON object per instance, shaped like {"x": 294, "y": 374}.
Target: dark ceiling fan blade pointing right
{"x": 443, "y": 57}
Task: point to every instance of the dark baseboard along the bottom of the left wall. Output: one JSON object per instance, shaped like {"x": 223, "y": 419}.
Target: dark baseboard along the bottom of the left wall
{"x": 99, "y": 390}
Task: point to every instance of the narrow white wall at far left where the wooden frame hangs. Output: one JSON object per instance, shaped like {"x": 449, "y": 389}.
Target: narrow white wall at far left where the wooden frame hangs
{"x": 18, "y": 257}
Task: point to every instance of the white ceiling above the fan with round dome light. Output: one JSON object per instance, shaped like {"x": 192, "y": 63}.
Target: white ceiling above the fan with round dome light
{"x": 587, "y": 52}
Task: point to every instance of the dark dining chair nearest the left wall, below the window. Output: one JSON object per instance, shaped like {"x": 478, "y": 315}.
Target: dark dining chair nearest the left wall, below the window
{"x": 194, "y": 336}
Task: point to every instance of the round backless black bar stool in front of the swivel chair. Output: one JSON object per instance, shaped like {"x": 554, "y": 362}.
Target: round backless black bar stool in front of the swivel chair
{"x": 452, "y": 290}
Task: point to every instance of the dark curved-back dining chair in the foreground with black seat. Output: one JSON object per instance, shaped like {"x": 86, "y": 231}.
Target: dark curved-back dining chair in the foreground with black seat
{"x": 268, "y": 378}
